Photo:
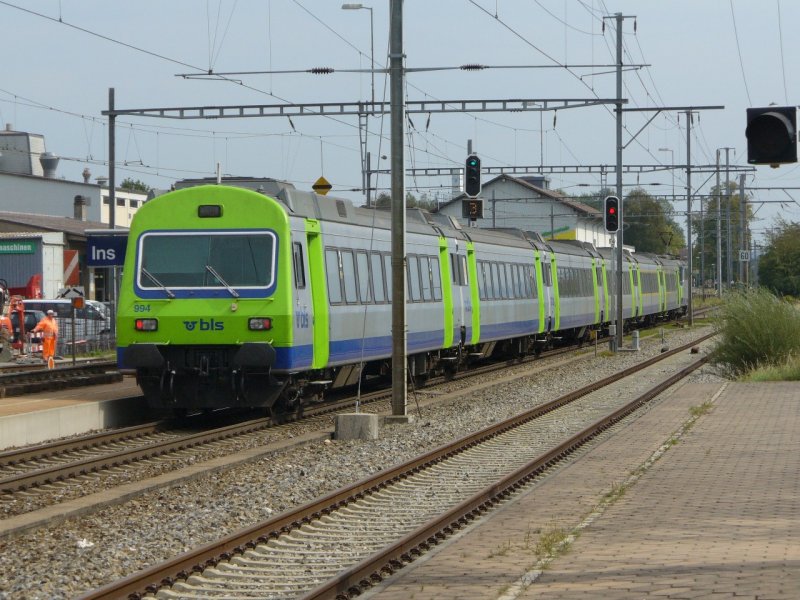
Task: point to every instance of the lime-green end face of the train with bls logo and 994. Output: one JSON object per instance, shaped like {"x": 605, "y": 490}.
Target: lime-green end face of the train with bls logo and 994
{"x": 203, "y": 302}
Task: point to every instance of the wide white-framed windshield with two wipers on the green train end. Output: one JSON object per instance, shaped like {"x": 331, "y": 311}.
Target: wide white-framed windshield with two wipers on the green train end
{"x": 207, "y": 260}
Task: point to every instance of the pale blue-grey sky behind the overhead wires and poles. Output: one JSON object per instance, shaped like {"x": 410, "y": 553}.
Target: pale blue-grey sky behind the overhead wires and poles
{"x": 60, "y": 57}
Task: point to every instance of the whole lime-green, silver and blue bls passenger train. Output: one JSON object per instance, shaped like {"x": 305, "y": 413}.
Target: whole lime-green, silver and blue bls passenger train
{"x": 230, "y": 297}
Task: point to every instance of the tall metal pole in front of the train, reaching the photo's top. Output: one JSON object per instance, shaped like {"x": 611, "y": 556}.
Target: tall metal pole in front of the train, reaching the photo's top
{"x": 399, "y": 334}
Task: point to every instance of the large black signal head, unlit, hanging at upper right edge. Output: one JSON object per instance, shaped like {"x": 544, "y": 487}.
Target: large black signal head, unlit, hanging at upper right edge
{"x": 771, "y": 135}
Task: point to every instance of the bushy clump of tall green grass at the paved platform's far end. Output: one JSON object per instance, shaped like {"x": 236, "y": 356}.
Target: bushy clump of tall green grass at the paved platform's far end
{"x": 756, "y": 329}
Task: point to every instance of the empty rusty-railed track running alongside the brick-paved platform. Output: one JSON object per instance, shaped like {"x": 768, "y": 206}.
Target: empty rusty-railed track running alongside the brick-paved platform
{"x": 353, "y": 538}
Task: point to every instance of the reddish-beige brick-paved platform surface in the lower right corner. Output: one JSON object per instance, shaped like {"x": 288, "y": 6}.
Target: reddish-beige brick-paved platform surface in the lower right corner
{"x": 703, "y": 507}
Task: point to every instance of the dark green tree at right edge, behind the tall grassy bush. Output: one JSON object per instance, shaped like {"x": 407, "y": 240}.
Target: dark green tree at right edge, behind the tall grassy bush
{"x": 779, "y": 265}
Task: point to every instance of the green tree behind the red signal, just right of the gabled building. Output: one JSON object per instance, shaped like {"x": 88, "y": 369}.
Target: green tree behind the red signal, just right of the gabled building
{"x": 649, "y": 225}
